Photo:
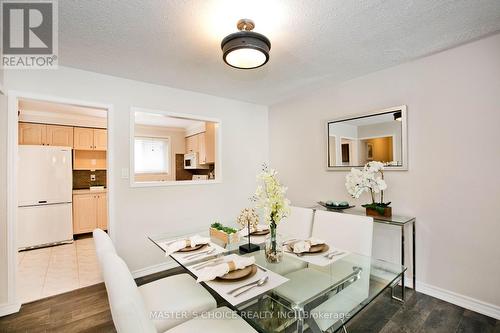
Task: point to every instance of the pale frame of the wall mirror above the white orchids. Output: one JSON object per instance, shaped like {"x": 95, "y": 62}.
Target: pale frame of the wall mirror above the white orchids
{"x": 404, "y": 138}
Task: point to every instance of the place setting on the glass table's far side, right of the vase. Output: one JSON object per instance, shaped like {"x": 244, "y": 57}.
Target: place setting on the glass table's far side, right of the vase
{"x": 314, "y": 251}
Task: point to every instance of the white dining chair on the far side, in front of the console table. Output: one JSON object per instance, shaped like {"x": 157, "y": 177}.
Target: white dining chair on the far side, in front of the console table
{"x": 347, "y": 232}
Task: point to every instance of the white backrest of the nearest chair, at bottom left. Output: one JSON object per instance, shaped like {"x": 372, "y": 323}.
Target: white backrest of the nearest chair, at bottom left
{"x": 127, "y": 307}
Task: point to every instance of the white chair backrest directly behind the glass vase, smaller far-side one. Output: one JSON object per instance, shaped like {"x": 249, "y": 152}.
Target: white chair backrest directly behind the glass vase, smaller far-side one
{"x": 298, "y": 224}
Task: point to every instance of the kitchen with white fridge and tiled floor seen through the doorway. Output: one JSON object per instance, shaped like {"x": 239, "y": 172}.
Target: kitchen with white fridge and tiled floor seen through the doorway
{"x": 62, "y": 177}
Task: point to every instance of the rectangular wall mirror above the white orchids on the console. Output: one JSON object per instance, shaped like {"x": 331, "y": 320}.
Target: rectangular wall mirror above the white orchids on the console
{"x": 379, "y": 136}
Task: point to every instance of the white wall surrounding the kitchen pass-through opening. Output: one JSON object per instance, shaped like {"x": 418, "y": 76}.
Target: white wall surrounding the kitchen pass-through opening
{"x": 143, "y": 211}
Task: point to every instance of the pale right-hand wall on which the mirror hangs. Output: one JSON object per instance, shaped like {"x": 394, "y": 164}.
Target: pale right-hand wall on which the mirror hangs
{"x": 452, "y": 186}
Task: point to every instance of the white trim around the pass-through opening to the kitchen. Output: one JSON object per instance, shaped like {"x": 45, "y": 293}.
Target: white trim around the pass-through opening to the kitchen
{"x": 218, "y": 145}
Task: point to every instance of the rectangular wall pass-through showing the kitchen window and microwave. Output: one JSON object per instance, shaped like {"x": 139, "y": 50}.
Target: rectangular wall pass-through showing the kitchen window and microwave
{"x": 173, "y": 149}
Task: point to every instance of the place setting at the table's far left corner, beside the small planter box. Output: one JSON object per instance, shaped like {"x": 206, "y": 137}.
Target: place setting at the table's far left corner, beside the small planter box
{"x": 191, "y": 249}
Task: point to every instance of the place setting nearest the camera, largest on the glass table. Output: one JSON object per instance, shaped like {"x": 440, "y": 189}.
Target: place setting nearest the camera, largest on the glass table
{"x": 236, "y": 278}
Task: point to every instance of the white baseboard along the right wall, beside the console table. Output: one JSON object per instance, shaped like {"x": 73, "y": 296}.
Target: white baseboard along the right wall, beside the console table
{"x": 467, "y": 302}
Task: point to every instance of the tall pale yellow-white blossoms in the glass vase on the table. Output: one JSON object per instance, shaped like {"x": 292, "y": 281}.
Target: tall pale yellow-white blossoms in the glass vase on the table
{"x": 270, "y": 196}
